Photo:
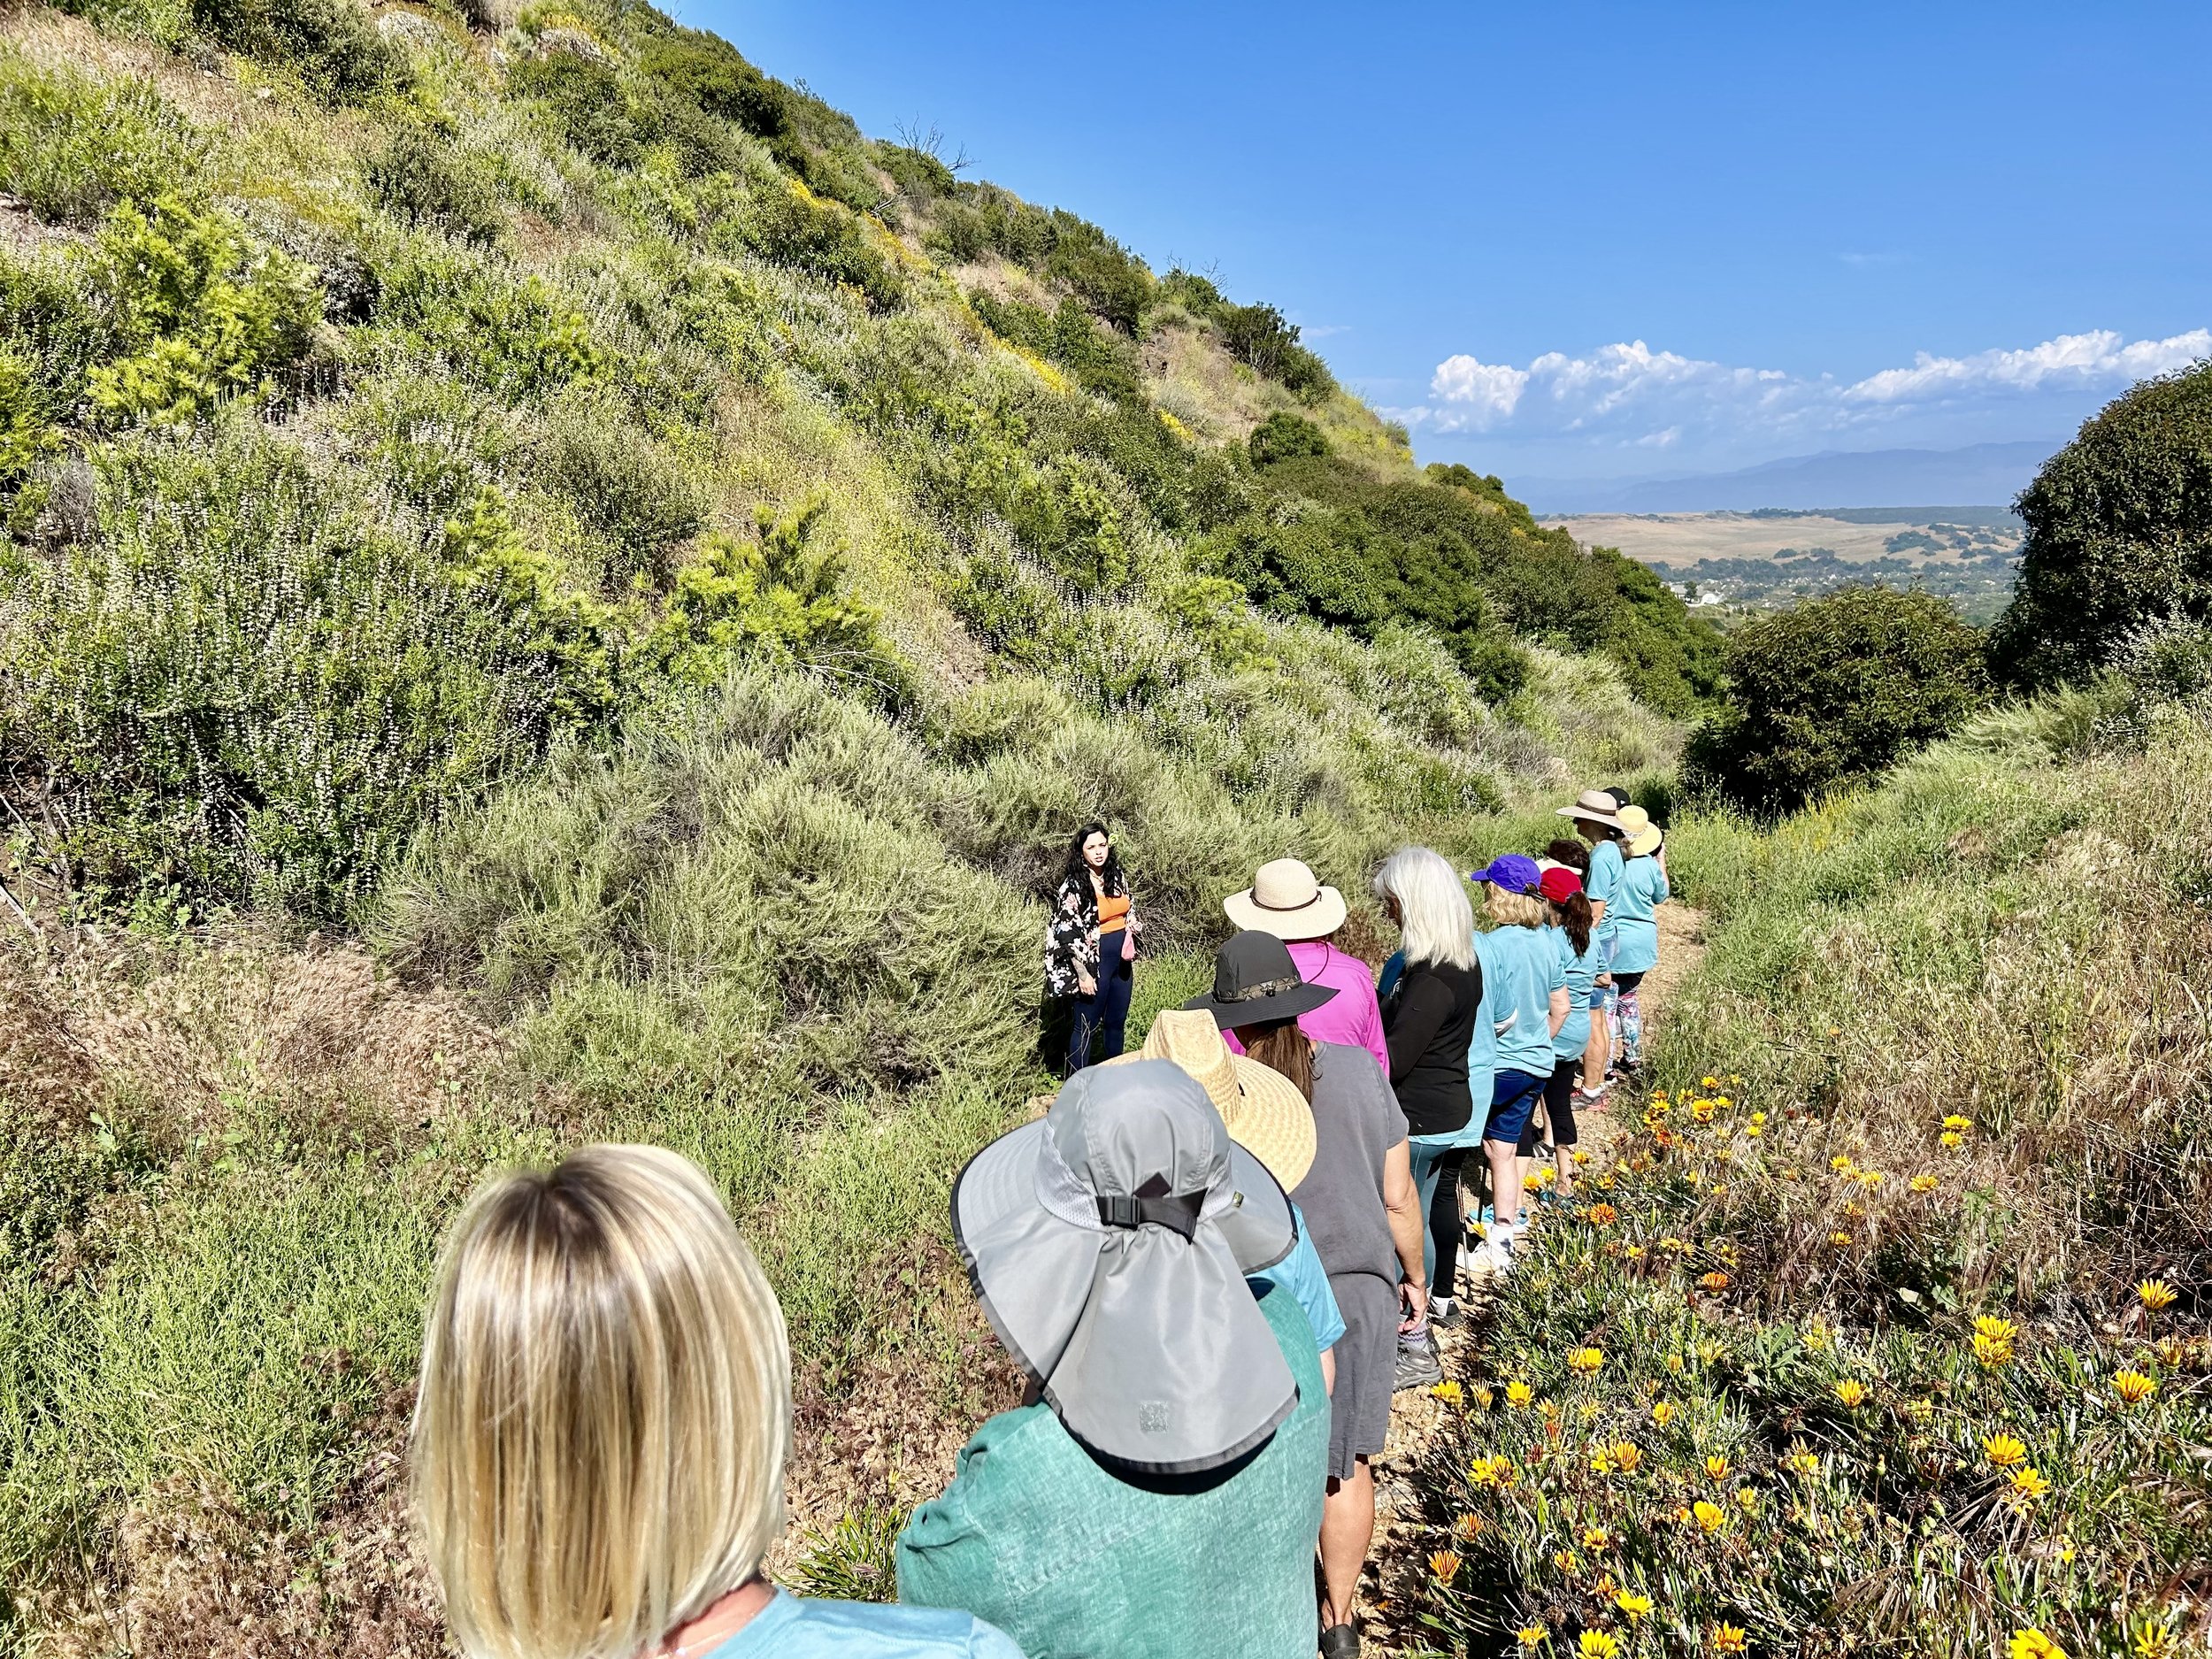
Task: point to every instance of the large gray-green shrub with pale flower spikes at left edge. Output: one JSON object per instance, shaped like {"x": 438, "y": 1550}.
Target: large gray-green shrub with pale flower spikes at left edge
{"x": 242, "y": 689}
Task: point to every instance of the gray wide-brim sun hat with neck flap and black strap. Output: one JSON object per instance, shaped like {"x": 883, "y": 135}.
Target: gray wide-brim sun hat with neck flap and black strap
{"x": 1109, "y": 1246}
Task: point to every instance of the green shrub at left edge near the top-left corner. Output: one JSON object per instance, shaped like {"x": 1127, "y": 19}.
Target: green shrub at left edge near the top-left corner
{"x": 74, "y": 147}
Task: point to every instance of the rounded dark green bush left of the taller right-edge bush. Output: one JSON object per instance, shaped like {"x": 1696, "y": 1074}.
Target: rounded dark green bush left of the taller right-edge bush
{"x": 1837, "y": 691}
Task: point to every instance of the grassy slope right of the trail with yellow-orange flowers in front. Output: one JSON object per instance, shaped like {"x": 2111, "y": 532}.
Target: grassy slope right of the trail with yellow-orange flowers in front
{"x": 1877, "y": 1324}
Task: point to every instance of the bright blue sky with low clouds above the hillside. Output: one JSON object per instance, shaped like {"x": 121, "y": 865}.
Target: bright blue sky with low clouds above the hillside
{"x": 1609, "y": 240}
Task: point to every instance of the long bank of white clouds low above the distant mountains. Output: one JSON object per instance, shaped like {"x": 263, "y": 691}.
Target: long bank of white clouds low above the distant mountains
{"x": 1631, "y": 397}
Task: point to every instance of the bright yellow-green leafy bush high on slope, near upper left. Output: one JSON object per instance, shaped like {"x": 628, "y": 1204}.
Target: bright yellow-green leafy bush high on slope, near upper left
{"x": 200, "y": 315}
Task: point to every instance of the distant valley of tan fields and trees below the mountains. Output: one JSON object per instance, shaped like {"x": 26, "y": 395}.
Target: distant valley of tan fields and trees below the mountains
{"x": 1773, "y": 556}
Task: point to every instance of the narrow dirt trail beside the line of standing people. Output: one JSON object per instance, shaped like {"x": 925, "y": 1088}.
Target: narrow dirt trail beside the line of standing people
{"x": 1399, "y": 1563}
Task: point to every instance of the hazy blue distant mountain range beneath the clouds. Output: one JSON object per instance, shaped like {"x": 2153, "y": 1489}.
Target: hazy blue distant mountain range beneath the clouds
{"x": 1981, "y": 474}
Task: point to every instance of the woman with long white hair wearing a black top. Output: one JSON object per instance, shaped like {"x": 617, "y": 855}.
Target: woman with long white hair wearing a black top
{"x": 1428, "y": 1025}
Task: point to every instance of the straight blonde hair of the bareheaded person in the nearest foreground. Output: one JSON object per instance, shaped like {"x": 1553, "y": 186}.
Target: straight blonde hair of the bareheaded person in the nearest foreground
{"x": 605, "y": 1410}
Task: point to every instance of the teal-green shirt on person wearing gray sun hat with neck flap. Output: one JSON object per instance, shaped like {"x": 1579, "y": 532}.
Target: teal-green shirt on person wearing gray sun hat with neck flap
{"x": 1078, "y": 1565}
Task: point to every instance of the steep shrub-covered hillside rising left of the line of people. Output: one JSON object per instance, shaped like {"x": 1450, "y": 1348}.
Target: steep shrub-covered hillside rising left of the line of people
{"x": 554, "y": 589}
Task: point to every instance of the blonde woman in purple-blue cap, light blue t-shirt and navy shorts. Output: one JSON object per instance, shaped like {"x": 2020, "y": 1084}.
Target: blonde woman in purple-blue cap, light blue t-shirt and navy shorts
{"x": 1530, "y": 999}
